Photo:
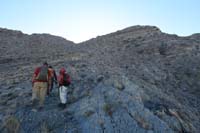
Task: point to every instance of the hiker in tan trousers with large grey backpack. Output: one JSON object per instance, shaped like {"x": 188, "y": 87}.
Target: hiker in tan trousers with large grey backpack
{"x": 41, "y": 79}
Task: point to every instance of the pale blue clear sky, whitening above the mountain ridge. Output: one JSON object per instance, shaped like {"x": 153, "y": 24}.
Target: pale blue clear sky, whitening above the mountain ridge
{"x": 80, "y": 20}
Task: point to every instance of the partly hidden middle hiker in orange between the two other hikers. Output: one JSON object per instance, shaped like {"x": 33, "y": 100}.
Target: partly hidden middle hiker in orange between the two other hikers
{"x": 53, "y": 79}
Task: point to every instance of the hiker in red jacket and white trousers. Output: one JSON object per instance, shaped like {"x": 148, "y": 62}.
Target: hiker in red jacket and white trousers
{"x": 64, "y": 81}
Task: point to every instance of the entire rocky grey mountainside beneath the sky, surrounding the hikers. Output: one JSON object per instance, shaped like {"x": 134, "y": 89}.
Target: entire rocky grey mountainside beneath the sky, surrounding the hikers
{"x": 138, "y": 79}
